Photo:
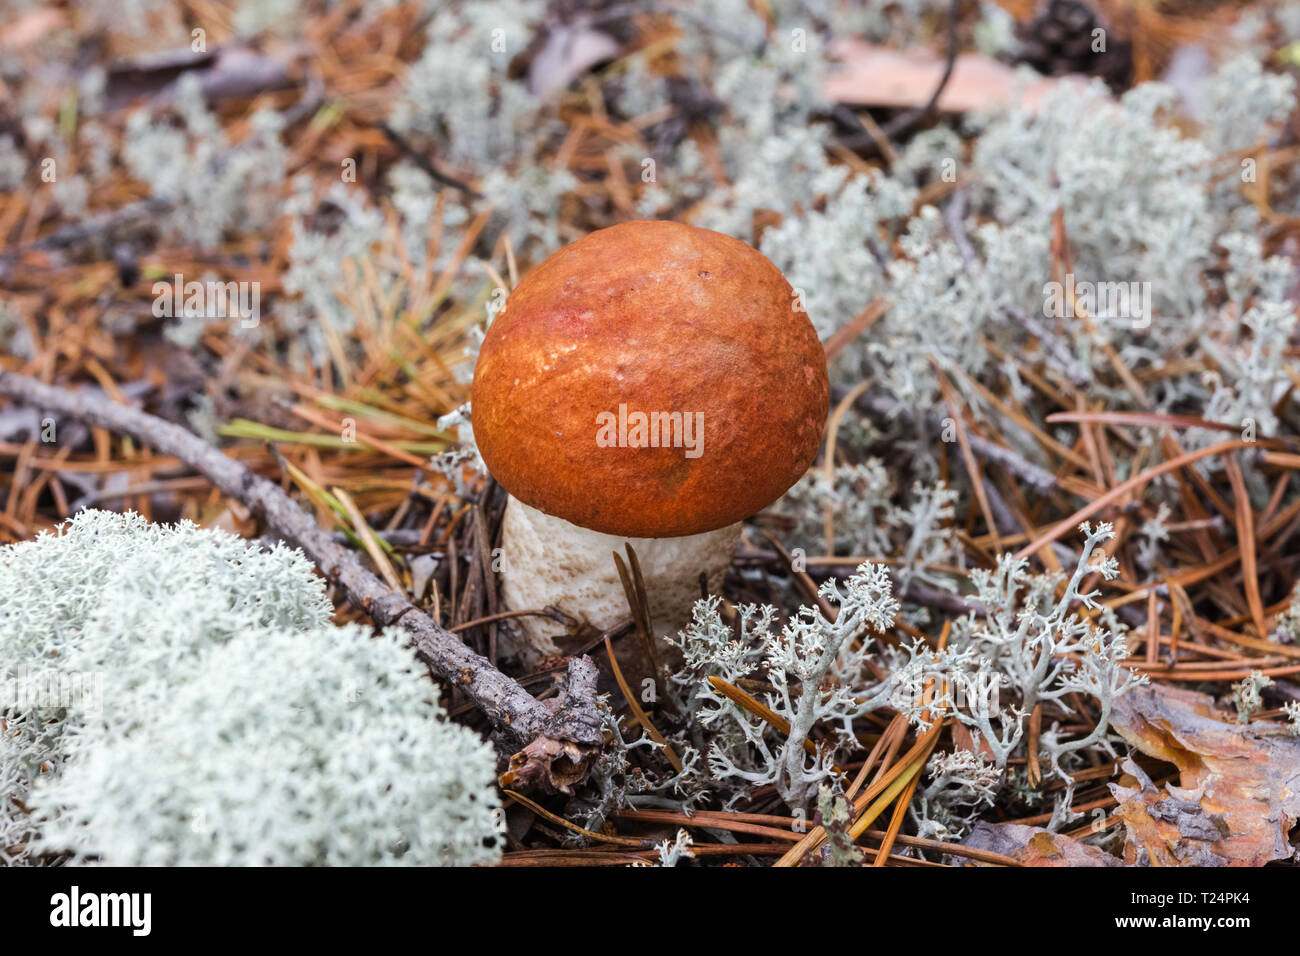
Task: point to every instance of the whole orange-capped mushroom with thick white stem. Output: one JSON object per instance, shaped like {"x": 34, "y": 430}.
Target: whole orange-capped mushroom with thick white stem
{"x": 653, "y": 384}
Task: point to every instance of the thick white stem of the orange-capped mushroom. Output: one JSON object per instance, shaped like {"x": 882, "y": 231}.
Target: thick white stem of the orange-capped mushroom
{"x": 553, "y": 563}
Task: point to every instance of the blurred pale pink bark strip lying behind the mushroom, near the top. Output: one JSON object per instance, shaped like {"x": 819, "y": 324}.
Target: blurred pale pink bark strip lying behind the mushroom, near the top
{"x": 872, "y": 76}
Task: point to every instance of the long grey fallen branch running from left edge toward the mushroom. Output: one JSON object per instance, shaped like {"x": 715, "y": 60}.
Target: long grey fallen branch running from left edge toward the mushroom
{"x": 569, "y": 724}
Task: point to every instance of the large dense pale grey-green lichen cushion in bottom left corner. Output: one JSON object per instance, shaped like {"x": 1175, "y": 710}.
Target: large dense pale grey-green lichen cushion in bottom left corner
{"x": 219, "y": 716}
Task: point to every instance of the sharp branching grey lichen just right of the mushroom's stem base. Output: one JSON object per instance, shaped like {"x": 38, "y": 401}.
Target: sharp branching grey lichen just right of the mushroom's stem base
{"x": 1033, "y": 648}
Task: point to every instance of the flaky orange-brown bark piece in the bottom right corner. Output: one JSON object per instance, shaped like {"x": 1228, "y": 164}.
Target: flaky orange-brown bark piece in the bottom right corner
{"x": 1241, "y": 784}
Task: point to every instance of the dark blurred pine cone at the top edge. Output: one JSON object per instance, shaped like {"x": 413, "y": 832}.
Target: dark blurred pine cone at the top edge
{"x": 1060, "y": 41}
